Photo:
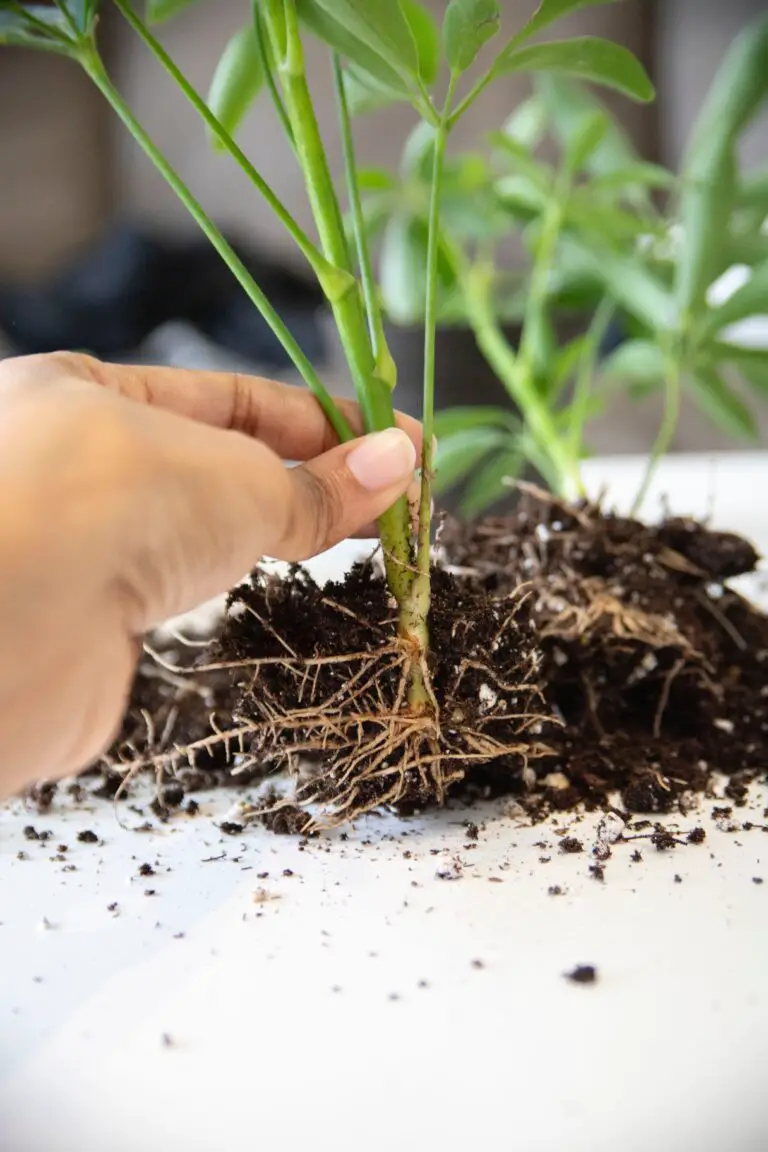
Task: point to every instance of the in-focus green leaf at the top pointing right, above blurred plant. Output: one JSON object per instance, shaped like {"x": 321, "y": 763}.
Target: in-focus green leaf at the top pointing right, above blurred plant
{"x": 589, "y": 58}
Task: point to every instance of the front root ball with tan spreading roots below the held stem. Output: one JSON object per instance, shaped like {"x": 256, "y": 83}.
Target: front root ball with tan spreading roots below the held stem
{"x": 323, "y": 691}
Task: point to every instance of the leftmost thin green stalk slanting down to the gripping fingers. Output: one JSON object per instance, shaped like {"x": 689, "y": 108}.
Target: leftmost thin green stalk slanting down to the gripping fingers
{"x": 95, "y": 69}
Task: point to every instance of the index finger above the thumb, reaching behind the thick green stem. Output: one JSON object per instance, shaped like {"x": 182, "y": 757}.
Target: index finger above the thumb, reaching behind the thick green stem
{"x": 285, "y": 418}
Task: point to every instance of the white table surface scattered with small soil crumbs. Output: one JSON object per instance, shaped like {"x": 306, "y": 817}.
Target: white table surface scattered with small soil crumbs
{"x": 204, "y": 1019}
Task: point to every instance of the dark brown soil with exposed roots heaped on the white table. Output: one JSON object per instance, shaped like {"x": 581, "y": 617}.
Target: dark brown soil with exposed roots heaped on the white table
{"x": 579, "y": 658}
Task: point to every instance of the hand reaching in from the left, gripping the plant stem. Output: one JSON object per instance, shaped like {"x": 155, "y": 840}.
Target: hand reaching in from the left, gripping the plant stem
{"x": 131, "y": 495}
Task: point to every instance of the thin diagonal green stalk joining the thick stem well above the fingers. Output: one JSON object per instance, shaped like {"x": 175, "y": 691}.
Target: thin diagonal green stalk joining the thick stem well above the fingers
{"x": 333, "y": 282}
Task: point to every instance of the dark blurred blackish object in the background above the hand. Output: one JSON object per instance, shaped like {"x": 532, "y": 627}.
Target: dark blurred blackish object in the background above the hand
{"x": 130, "y": 285}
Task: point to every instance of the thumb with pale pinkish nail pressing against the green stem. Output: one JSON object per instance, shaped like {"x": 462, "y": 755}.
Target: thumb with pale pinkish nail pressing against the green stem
{"x": 333, "y": 496}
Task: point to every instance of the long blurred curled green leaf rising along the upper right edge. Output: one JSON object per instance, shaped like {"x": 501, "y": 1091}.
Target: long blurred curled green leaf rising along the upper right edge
{"x": 711, "y": 163}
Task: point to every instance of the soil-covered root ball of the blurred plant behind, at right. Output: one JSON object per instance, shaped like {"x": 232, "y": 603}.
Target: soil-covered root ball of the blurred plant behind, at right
{"x": 657, "y": 668}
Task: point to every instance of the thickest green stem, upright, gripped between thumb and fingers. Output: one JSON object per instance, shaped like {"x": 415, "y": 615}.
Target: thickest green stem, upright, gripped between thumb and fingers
{"x": 374, "y": 396}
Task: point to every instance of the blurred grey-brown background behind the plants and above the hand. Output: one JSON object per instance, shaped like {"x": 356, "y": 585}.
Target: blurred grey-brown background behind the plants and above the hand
{"x": 97, "y": 254}
